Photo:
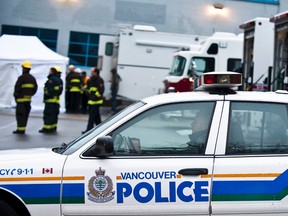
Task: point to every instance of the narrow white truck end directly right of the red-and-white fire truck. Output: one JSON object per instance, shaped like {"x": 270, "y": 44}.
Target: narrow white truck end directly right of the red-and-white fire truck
{"x": 258, "y": 53}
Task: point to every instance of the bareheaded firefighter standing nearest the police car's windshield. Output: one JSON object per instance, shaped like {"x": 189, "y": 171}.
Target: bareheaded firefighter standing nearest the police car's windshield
{"x": 96, "y": 89}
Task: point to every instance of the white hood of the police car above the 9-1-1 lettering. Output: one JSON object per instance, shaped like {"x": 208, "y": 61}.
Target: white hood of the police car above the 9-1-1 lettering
{"x": 28, "y": 154}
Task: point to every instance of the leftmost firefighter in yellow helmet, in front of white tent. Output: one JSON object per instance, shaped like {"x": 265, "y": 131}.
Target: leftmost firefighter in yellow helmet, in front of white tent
{"x": 25, "y": 87}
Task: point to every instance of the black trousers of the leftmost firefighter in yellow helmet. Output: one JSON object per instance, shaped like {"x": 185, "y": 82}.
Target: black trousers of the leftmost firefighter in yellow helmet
{"x": 22, "y": 113}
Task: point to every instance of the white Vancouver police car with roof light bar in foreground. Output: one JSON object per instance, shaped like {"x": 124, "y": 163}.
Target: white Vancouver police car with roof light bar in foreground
{"x": 147, "y": 160}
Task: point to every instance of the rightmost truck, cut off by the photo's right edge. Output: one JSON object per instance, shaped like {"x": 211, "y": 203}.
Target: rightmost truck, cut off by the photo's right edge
{"x": 280, "y": 69}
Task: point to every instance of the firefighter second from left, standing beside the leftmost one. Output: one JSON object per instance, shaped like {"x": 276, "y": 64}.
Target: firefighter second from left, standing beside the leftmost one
{"x": 52, "y": 91}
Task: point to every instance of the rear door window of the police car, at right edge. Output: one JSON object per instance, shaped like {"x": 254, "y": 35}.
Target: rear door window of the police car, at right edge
{"x": 257, "y": 128}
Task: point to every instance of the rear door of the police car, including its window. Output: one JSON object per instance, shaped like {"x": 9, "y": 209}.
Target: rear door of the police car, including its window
{"x": 251, "y": 170}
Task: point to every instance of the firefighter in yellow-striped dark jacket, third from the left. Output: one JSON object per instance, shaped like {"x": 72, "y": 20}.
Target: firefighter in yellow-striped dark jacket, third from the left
{"x": 74, "y": 84}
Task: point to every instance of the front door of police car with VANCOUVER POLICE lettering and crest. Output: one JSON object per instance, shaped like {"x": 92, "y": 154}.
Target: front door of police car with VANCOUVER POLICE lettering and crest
{"x": 156, "y": 168}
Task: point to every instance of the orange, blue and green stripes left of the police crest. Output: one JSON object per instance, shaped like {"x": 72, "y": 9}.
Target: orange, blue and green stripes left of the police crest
{"x": 45, "y": 192}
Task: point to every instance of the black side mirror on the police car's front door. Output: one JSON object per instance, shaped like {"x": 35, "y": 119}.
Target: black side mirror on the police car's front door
{"x": 103, "y": 146}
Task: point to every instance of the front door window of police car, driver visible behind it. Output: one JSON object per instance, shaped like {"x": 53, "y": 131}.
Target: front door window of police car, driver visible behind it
{"x": 174, "y": 129}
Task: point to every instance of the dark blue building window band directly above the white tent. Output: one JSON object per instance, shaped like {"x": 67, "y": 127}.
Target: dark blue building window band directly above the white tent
{"x": 47, "y": 36}
